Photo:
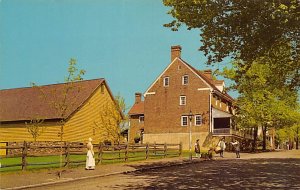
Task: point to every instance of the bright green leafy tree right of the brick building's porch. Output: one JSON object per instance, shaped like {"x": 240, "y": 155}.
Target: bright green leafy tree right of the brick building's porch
{"x": 264, "y": 101}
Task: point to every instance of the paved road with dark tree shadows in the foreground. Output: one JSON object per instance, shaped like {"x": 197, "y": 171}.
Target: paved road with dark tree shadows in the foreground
{"x": 254, "y": 171}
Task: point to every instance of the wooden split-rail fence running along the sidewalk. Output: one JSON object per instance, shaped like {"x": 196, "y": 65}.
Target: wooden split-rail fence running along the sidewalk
{"x": 75, "y": 154}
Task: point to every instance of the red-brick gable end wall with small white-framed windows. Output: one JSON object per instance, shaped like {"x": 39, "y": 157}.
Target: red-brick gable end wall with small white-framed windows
{"x": 162, "y": 110}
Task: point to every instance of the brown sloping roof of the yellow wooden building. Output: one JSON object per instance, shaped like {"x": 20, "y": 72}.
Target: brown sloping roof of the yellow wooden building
{"x": 39, "y": 102}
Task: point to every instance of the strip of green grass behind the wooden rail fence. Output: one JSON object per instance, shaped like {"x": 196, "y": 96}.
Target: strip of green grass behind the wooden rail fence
{"x": 109, "y": 158}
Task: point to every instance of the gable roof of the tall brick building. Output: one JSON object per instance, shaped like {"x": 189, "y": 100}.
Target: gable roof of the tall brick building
{"x": 209, "y": 82}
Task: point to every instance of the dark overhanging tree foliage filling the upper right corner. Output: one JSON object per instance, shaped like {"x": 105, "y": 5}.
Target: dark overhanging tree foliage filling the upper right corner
{"x": 244, "y": 30}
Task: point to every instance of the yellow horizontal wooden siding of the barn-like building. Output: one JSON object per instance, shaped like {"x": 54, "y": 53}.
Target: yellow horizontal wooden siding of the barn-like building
{"x": 78, "y": 128}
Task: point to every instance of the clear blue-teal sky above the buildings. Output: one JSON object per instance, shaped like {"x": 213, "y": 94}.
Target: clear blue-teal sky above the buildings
{"x": 123, "y": 41}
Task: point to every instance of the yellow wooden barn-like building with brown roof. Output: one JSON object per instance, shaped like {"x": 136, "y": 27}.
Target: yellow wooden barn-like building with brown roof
{"x": 77, "y": 104}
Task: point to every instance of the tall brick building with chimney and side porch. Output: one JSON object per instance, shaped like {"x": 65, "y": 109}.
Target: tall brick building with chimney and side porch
{"x": 181, "y": 99}
